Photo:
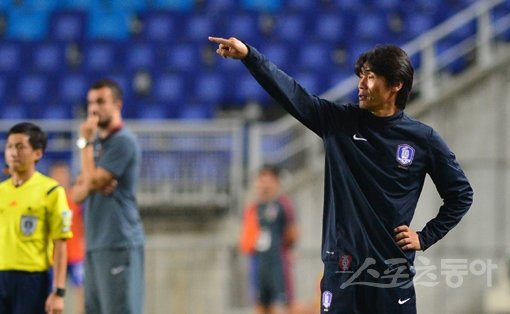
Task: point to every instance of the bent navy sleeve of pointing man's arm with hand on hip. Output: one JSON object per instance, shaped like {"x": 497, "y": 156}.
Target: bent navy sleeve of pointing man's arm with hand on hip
{"x": 454, "y": 189}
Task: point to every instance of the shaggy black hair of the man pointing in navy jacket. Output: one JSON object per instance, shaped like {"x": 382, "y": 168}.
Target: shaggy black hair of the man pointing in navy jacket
{"x": 392, "y": 63}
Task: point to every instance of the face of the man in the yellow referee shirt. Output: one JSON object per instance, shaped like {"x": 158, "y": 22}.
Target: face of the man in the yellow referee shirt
{"x": 19, "y": 154}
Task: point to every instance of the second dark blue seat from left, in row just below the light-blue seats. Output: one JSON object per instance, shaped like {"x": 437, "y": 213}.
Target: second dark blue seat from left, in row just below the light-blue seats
{"x": 48, "y": 56}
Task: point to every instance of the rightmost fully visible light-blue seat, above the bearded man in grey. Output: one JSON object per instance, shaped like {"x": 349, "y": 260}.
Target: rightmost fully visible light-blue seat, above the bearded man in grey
{"x": 106, "y": 24}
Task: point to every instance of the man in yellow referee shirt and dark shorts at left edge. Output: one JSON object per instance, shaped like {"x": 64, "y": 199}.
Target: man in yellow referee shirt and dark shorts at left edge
{"x": 35, "y": 222}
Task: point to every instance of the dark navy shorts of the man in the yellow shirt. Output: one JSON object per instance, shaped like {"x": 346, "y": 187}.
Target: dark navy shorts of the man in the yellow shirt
{"x": 24, "y": 292}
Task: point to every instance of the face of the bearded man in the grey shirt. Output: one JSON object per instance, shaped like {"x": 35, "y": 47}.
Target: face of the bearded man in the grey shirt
{"x": 100, "y": 102}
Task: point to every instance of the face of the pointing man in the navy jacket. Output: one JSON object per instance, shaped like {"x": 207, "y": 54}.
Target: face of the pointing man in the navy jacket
{"x": 374, "y": 93}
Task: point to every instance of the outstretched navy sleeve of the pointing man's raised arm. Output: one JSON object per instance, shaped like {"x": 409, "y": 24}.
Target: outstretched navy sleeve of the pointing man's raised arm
{"x": 295, "y": 99}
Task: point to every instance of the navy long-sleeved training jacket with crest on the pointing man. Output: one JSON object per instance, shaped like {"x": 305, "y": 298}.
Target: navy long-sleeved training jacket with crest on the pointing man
{"x": 374, "y": 172}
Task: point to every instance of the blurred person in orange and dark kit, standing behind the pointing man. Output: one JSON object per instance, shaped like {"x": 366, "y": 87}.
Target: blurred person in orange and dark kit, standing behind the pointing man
{"x": 269, "y": 231}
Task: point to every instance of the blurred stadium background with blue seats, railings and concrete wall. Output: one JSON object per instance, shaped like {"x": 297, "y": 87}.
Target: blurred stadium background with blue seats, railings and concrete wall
{"x": 206, "y": 126}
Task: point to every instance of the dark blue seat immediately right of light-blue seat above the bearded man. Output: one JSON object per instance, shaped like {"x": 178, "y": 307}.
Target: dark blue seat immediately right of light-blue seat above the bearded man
{"x": 158, "y": 26}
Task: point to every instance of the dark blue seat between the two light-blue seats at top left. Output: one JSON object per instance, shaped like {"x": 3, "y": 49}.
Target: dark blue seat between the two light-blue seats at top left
{"x": 67, "y": 26}
